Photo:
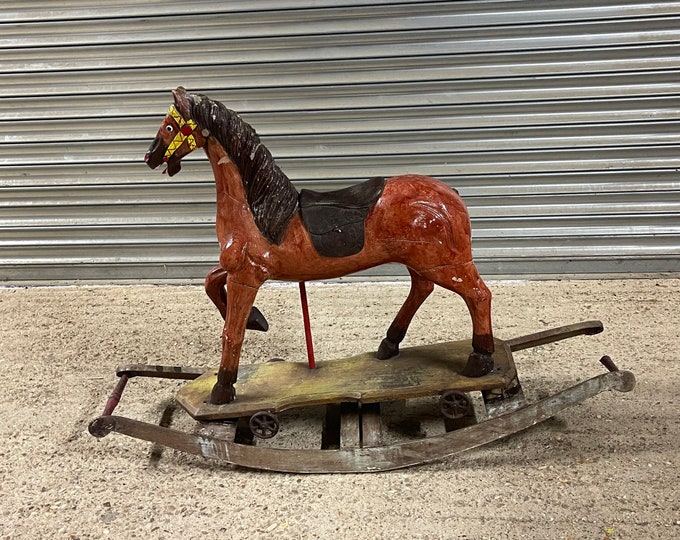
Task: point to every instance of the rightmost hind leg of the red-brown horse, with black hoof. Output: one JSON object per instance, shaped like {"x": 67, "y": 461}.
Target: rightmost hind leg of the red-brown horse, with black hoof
{"x": 465, "y": 281}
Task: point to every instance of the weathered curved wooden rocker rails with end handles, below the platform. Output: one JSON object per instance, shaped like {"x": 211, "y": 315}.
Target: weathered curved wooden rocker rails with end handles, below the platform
{"x": 368, "y": 459}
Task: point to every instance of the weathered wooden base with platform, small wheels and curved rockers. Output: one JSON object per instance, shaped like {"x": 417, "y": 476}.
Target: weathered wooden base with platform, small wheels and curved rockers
{"x": 351, "y": 439}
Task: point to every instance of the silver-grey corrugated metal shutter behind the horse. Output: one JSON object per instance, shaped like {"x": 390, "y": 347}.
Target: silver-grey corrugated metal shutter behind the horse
{"x": 557, "y": 122}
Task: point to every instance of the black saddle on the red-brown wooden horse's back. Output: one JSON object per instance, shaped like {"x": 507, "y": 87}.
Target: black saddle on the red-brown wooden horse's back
{"x": 335, "y": 219}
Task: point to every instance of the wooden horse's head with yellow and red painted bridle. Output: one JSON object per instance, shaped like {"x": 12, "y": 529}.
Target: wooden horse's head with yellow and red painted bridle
{"x": 178, "y": 135}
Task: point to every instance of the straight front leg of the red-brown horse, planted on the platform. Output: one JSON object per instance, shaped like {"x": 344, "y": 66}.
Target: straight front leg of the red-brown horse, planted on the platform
{"x": 241, "y": 301}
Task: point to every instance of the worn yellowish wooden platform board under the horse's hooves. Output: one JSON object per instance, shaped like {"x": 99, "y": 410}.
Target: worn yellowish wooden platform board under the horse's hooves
{"x": 416, "y": 372}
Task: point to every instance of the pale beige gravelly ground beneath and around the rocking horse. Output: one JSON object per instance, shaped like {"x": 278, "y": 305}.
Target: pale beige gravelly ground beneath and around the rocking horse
{"x": 607, "y": 468}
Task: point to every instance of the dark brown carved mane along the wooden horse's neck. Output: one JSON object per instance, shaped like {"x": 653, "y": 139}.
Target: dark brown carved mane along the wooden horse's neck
{"x": 272, "y": 198}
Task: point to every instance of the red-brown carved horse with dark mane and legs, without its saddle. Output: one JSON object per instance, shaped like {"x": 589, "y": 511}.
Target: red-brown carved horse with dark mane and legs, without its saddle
{"x": 416, "y": 221}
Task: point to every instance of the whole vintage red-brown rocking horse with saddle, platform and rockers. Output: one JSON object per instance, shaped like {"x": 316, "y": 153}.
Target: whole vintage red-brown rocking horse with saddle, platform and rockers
{"x": 268, "y": 230}
